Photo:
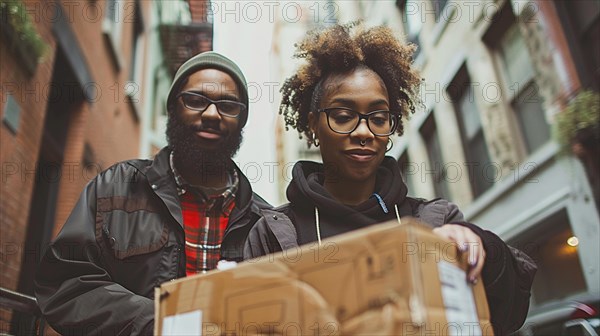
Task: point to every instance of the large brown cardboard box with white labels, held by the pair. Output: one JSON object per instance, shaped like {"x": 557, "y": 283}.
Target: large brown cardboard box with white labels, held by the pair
{"x": 387, "y": 279}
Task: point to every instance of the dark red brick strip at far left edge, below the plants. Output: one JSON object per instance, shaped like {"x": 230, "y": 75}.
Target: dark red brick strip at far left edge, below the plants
{"x": 18, "y": 155}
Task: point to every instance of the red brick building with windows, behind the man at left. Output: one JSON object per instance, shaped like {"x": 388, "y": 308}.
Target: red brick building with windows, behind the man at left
{"x": 74, "y": 98}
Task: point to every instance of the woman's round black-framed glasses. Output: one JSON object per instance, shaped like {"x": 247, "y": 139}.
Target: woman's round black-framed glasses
{"x": 344, "y": 120}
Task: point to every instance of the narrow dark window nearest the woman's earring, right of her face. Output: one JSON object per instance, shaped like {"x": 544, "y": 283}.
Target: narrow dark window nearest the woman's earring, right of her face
{"x": 436, "y": 163}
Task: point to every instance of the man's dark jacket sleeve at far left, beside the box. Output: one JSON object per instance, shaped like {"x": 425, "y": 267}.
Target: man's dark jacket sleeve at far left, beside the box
{"x": 74, "y": 290}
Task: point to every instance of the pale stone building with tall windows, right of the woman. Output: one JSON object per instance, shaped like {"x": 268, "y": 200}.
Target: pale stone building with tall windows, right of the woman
{"x": 496, "y": 73}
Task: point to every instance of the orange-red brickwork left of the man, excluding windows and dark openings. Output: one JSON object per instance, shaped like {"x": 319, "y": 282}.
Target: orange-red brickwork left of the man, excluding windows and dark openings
{"x": 107, "y": 126}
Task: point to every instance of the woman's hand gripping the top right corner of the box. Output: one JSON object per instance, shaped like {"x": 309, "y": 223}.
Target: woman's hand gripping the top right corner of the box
{"x": 467, "y": 241}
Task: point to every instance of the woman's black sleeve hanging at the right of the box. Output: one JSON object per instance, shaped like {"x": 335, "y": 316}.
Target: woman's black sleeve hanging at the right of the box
{"x": 508, "y": 276}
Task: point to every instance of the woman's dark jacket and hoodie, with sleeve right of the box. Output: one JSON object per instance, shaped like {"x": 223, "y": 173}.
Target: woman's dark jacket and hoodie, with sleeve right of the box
{"x": 507, "y": 274}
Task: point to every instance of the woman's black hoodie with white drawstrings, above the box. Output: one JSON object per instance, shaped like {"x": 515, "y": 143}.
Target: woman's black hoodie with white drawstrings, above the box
{"x": 307, "y": 193}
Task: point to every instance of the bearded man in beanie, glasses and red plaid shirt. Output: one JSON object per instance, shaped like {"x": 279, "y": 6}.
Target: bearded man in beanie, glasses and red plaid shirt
{"x": 143, "y": 222}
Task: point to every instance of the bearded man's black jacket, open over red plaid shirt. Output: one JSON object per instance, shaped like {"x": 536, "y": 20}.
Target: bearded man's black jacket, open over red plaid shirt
{"x": 124, "y": 238}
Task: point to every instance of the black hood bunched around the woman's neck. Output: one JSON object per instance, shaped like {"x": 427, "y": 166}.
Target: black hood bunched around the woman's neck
{"x": 306, "y": 191}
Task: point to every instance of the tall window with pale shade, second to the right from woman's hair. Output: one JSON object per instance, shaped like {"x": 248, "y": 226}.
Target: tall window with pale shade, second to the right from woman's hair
{"x": 474, "y": 144}
